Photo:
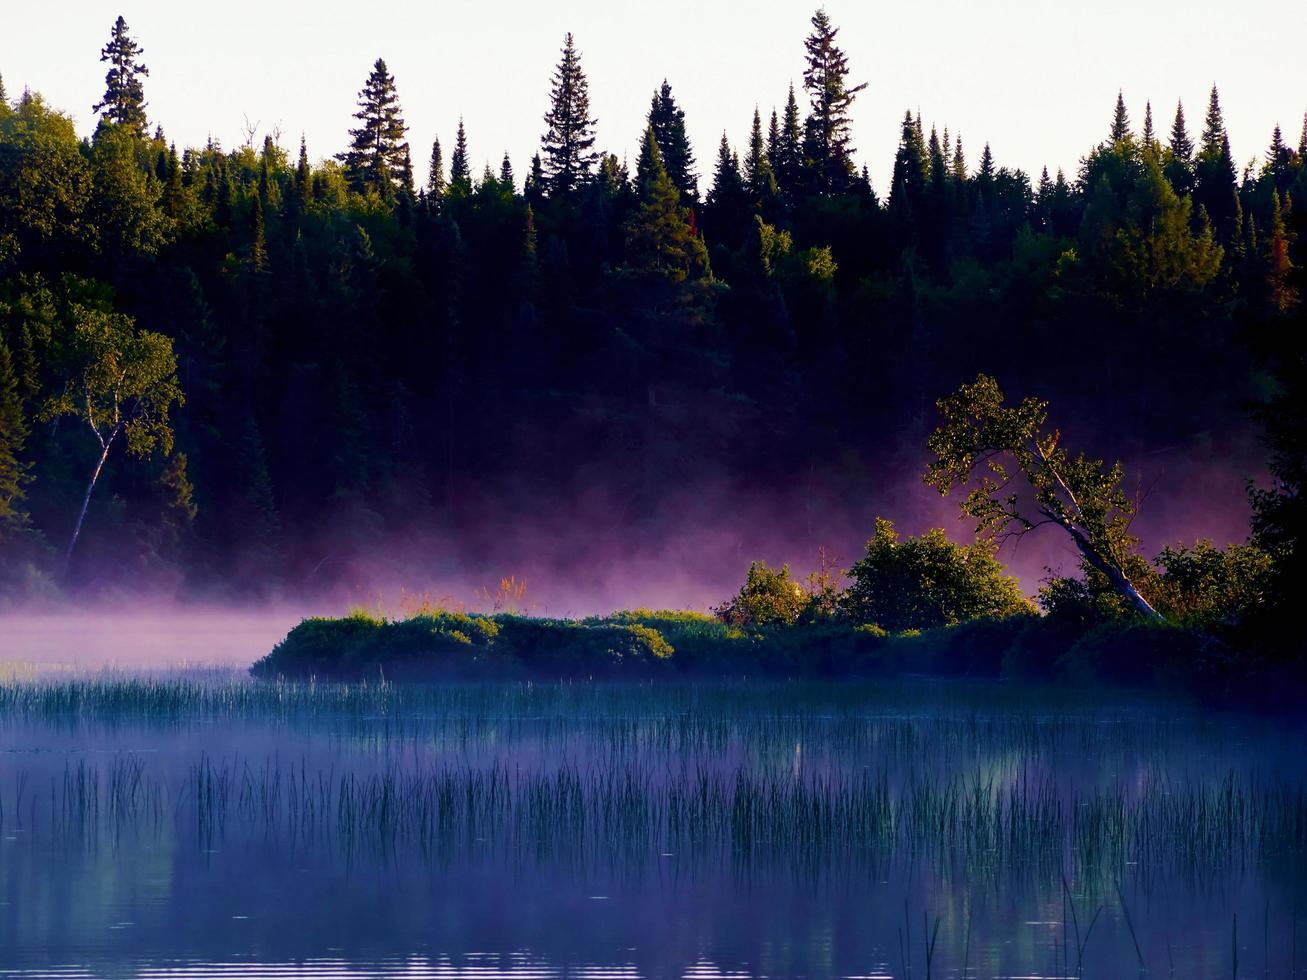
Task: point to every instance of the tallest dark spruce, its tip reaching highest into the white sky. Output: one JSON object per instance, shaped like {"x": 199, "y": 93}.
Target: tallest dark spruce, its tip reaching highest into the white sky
{"x": 828, "y": 142}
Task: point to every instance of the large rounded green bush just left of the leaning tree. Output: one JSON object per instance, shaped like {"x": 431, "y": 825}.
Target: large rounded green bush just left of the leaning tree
{"x": 921, "y": 583}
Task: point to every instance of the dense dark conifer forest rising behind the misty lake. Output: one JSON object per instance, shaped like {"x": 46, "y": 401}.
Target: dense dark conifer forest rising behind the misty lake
{"x": 224, "y": 369}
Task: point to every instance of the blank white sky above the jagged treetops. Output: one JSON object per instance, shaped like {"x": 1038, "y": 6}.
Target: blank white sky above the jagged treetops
{"x": 1036, "y": 79}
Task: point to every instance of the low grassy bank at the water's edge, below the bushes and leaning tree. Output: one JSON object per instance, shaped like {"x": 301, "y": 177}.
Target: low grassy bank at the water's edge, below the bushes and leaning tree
{"x": 645, "y": 644}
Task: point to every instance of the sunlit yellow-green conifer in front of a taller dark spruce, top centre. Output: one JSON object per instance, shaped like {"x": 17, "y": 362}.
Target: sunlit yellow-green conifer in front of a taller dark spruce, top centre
{"x": 659, "y": 237}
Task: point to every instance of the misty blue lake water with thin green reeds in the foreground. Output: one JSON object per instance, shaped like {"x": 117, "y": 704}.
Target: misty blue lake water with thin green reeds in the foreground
{"x": 203, "y": 825}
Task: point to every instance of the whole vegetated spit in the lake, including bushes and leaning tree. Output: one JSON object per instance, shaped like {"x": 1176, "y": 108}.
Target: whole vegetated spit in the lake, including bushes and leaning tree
{"x": 1197, "y": 620}
